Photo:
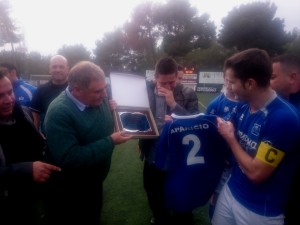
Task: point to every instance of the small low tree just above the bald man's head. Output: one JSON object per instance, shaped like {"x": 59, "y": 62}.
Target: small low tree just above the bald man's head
{"x": 75, "y": 53}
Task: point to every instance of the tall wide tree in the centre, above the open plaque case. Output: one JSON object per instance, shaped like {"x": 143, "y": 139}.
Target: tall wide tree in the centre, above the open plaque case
{"x": 157, "y": 29}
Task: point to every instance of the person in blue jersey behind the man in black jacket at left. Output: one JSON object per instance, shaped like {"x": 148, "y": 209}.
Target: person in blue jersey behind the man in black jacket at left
{"x": 23, "y": 91}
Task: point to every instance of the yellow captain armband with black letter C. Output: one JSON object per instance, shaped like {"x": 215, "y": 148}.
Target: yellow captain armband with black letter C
{"x": 269, "y": 155}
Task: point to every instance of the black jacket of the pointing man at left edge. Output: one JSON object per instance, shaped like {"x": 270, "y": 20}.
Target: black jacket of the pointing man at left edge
{"x": 20, "y": 145}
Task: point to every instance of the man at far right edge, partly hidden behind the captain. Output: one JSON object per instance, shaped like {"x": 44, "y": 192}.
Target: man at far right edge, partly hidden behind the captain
{"x": 285, "y": 81}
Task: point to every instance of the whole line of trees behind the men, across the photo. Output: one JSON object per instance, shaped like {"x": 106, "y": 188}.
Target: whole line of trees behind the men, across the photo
{"x": 172, "y": 28}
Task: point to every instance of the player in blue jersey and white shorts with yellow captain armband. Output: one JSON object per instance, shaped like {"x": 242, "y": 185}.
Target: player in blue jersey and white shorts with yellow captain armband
{"x": 263, "y": 137}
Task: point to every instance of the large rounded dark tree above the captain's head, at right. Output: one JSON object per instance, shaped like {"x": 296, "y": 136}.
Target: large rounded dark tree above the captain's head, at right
{"x": 253, "y": 25}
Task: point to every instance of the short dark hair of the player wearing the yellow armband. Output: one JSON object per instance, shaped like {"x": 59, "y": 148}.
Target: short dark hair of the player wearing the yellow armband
{"x": 252, "y": 63}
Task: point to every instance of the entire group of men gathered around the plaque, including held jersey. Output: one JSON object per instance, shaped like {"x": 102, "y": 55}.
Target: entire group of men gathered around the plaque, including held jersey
{"x": 57, "y": 141}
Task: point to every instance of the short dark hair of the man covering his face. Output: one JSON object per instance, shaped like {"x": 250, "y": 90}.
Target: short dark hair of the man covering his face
{"x": 165, "y": 66}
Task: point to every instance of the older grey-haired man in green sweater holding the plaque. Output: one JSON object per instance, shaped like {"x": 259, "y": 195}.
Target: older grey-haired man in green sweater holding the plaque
{"x": 81, "y": 138}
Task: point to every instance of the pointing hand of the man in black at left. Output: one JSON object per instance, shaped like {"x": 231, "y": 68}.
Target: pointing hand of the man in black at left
{"x": 42, "y": 171}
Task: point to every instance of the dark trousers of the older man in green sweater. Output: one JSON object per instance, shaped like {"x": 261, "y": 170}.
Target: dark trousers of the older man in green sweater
{"x": 73, "y": 204}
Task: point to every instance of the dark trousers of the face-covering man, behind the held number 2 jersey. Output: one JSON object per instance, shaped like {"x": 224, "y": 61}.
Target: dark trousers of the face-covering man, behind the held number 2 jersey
{"x": 154, "y": 186}
